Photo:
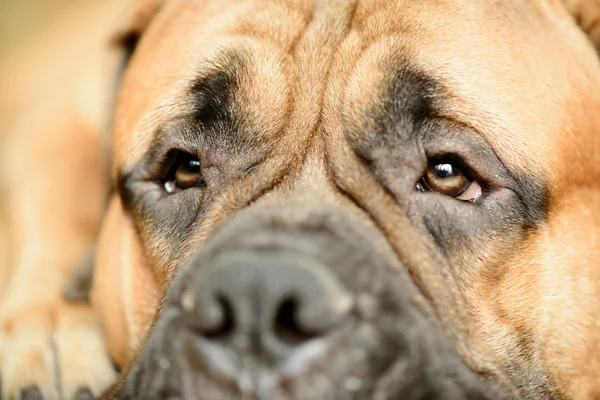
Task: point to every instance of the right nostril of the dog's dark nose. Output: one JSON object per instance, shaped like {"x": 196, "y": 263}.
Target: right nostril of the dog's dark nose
{"x": 287, "y": 325}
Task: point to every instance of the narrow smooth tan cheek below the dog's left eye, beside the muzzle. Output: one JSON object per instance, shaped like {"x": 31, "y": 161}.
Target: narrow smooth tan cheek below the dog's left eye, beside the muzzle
{"x": 124, "y": 293}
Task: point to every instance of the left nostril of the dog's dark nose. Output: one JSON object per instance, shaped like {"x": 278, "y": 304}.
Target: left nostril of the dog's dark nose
{"x": 214, "y": 319}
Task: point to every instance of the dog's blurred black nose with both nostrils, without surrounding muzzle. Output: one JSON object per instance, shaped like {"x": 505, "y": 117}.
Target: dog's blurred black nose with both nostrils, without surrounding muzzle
{"x": 263, "y": 305}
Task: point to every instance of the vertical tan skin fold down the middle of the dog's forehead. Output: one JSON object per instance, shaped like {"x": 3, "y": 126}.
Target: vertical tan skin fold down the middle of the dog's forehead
{"x": 311, "y": 63}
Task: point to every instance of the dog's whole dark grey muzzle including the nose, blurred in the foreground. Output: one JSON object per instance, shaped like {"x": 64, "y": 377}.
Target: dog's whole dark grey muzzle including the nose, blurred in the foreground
{"x": 288, "y": 306}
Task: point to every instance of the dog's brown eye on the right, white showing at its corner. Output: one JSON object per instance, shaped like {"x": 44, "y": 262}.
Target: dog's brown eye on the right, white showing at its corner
{"x": 446, "y": 178}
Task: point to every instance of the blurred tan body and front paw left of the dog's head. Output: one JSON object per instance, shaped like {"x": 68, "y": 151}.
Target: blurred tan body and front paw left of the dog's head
{"x": 55, "y": 101}
